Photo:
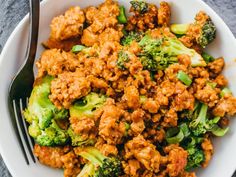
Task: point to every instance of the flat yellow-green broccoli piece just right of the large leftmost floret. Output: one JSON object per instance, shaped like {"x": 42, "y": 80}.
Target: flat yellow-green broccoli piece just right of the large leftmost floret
{"x": 87, "y": 105}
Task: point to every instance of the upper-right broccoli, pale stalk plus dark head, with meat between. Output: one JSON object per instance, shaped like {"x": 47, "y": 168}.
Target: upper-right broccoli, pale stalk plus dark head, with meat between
{"x": 206, "y": 35}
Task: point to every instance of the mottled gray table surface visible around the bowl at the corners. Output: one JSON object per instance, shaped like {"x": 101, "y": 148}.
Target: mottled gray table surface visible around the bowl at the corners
{"x": 12, "y": 11}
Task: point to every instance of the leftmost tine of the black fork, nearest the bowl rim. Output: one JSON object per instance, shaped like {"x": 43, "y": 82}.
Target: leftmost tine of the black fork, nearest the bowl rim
{"x": 19, "y": 133}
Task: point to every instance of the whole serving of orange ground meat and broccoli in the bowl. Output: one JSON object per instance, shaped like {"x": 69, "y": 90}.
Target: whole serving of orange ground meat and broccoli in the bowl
{"x": 136, "y": 96}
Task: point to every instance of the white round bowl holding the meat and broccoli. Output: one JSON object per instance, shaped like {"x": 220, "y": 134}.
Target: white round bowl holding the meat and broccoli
{"x": 223, "y": 163}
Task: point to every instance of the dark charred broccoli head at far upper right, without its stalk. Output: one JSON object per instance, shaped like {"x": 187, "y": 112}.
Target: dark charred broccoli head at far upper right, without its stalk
{"x": 208, "y": 33}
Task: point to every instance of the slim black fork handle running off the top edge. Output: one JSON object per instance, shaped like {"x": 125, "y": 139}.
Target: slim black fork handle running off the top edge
{"x": 33, "y": 33}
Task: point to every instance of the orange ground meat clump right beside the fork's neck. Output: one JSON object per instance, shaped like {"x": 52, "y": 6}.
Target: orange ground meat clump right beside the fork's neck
{"x": 55, "y": 61}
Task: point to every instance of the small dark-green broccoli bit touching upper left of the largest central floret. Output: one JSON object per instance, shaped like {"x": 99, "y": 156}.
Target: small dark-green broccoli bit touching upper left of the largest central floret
{"x": 131, "y": 36}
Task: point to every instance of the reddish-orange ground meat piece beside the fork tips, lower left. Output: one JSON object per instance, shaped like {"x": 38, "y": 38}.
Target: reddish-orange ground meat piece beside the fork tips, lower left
{"x": 50, "y": 156}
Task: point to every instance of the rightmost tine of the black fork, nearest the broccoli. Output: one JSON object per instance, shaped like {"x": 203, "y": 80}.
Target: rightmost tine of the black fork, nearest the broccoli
{"x": 26, "y": 137}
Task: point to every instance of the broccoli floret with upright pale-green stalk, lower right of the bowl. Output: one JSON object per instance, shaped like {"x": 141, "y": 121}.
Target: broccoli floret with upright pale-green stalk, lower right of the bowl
{"x": 202, "y": 124}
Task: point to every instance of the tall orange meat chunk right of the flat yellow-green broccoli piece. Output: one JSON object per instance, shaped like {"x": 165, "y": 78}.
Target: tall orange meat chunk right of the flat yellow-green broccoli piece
{"x": 110, "y": 129}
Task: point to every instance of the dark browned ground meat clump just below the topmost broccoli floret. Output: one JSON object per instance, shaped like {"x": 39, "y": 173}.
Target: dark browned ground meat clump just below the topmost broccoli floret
{"x": 144, "y": 21}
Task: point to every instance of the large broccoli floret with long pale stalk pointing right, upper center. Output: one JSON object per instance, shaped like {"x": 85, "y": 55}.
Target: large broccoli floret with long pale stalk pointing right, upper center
{"x": 157, "y": 54}
